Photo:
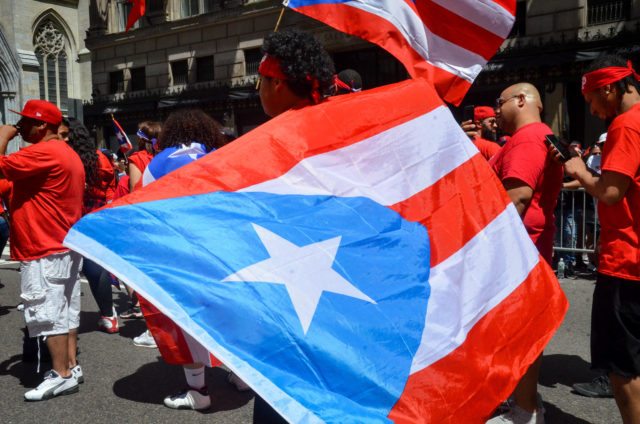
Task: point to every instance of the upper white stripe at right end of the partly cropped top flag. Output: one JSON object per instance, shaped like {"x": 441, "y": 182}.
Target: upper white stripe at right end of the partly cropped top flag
{"x": 485, "y": 13}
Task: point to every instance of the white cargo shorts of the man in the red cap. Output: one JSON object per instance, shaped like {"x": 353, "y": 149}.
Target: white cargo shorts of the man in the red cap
{"x": 51, "y": 293}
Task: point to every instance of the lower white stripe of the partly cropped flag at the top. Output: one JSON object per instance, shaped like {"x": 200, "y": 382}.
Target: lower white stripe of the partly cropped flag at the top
{"x": 434, "y": 49}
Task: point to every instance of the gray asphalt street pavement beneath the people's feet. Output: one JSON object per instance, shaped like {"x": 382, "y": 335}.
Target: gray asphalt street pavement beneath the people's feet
{"x": 127, "y": 384}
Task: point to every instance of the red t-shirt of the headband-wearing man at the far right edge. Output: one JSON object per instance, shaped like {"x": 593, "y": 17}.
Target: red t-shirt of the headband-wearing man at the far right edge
{"x": 619, "y": 238}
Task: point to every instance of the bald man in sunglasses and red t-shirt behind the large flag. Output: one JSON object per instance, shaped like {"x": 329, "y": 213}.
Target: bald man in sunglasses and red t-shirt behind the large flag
{"x": 533, "y": 182}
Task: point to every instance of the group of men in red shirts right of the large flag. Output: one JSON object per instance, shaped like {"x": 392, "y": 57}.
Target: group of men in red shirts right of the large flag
{"x": 531, "y": 171}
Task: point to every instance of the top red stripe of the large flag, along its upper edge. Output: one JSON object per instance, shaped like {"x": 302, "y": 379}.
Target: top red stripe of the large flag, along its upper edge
{"x": 292, "y": 137}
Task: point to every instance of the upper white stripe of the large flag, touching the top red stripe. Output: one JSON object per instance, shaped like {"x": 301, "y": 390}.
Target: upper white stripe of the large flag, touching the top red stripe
{"x": 388, "y": 167}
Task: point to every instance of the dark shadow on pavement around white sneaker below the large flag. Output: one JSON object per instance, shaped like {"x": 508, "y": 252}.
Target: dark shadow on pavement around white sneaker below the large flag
{"x": 152, "y": 382}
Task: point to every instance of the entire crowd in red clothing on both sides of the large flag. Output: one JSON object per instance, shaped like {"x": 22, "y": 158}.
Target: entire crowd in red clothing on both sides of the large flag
{"x": 61, "y": 176}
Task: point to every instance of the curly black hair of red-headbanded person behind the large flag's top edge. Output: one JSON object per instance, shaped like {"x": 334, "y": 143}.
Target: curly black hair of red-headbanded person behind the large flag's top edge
{"x": 301, "y": 54}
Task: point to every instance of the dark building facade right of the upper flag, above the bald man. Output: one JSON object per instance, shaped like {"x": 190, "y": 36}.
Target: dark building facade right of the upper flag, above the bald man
{"x": 551, "y": 45}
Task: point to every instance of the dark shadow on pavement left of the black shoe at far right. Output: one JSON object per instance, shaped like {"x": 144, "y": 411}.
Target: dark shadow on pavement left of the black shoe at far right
{"x": 565, "y": 370}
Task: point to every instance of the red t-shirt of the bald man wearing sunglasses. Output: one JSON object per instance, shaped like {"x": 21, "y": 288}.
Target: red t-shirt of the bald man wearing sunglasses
{"x": 525, "y": 157}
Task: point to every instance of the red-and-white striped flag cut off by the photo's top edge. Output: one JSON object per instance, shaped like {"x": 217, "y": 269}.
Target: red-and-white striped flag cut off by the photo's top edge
{"x": 446, "y": 41}
